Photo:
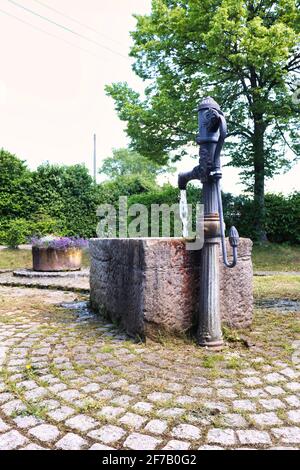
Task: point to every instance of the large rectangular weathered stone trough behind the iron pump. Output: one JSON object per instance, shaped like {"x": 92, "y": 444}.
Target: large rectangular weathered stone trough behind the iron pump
{"x": 145, "y": 284}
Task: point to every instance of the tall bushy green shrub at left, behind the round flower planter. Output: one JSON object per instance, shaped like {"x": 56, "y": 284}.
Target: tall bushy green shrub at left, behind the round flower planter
{"x": 53, "y": 199}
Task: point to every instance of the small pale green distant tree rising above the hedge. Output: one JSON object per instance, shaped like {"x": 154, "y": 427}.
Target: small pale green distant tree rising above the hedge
{"x": 126, "y": 162}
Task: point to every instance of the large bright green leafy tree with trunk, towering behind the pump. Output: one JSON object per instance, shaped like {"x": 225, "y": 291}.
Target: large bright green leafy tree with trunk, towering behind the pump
{"x": 246, "y": 54}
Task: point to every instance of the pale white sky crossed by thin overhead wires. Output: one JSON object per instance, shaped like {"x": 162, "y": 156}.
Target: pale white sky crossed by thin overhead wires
{"x": 52, "y": 97}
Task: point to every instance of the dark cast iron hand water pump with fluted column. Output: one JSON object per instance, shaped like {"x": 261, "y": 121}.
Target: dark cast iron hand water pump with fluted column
{"x": 211, "y": 138}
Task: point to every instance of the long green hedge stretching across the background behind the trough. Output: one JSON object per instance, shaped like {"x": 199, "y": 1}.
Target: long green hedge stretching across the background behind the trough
{"x": 63, "y": 200}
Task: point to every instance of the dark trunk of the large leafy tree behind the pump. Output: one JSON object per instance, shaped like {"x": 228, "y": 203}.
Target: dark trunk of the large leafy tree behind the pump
{"x": 259, "y": 179}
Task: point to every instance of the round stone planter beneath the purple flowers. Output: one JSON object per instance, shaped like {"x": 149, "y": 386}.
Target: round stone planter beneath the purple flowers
{"x": 53, "y": 260}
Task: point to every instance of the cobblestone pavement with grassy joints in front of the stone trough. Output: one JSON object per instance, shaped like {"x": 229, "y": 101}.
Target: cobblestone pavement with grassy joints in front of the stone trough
{"x": 71, "y": 381}
